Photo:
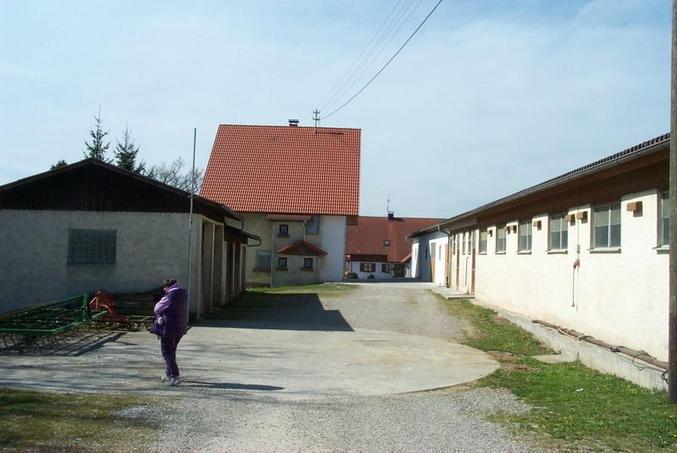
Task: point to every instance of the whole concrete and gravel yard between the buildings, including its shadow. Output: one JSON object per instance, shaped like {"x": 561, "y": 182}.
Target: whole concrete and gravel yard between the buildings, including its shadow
{"x": 346, "y": 370}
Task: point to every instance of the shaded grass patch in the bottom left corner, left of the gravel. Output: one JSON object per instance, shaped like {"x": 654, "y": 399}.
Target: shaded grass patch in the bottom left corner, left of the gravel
{"x": 42, "y": 421}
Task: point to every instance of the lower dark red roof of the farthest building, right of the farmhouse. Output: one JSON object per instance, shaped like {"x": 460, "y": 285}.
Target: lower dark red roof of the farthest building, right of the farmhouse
{"x": 368, "y": 235}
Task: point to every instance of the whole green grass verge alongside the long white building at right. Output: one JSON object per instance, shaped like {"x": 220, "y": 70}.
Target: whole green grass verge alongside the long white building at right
{"x": 574, "y": 407}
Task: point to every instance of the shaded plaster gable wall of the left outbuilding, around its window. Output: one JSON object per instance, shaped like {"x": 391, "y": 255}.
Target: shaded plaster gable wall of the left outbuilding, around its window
{"x": 34, "y": 252}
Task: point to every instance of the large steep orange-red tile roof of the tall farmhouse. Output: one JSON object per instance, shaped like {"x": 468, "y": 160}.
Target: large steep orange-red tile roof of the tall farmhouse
{"x": 285, "y": 170}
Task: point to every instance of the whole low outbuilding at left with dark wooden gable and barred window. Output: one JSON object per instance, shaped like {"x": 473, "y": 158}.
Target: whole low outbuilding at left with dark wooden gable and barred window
{"x": 91, "y": 225}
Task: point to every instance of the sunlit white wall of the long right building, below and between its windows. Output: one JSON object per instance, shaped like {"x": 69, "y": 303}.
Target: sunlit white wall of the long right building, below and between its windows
{"x": 619, "y": 297}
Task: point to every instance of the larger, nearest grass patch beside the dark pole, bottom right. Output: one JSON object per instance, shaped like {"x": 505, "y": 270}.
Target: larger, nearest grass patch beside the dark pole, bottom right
{"x": 576, "y": 405}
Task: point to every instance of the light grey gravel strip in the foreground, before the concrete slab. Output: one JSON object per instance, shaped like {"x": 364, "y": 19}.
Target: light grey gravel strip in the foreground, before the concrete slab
{"x": 431, "y": 421}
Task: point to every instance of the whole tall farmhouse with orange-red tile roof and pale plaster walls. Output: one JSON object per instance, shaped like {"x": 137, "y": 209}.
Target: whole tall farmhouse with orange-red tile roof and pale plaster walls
{"x": 296, "y": 188}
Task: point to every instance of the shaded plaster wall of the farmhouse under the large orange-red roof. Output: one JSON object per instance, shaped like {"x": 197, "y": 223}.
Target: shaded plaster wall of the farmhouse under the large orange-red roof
{"x": 331, "y": 239}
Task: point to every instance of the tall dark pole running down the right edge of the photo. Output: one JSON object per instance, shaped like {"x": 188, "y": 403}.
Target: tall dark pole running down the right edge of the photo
{"x": 672, "y": 335}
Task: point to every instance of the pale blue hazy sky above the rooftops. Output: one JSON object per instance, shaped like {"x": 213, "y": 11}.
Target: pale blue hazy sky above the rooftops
{"x": 490, "y": 97}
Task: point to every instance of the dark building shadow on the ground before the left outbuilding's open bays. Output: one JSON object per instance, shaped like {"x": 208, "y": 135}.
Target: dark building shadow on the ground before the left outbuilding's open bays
{"x": 259, "y": 310}
